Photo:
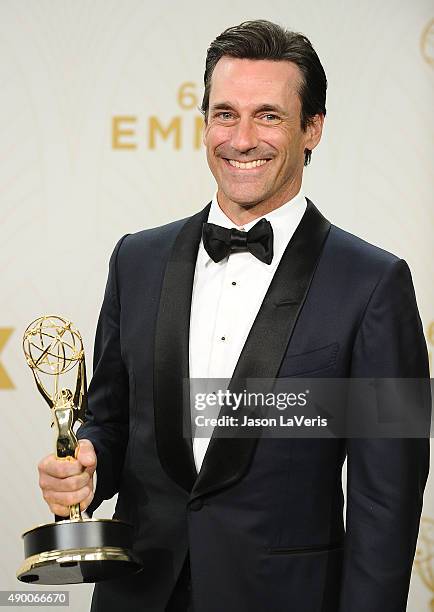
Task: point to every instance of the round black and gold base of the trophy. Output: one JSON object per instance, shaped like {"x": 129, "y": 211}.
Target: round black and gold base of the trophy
{"x": 102, "y": 551}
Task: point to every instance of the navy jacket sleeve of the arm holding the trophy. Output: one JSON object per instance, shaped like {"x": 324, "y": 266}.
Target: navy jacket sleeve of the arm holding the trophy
{"x": 106, "y": 423}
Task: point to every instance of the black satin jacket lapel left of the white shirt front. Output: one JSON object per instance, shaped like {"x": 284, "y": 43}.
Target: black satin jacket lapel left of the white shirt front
{"x": 171, "y": 355}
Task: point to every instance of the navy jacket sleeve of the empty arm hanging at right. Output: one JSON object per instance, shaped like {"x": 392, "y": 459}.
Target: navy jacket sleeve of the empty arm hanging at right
{"x": 385, "y": 477}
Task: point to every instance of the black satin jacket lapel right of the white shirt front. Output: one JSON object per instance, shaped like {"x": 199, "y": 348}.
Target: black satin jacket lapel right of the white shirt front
{"x": 227, "y": 459}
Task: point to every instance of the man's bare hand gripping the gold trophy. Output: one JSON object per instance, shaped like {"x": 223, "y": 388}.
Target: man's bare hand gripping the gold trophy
{"x": 64, "y": 483}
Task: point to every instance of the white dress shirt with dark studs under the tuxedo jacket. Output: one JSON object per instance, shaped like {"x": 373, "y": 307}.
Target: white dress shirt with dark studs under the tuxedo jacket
{"x": 227, "y": 296}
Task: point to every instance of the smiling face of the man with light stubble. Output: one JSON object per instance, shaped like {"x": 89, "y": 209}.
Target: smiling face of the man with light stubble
{"x": 253, "y": 137}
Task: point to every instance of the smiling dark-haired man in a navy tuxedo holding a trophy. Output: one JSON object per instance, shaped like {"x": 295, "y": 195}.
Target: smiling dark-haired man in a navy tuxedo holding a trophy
{"x": 258, "y": 284}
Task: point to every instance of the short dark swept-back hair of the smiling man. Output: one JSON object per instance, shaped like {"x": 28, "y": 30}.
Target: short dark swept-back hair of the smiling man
{"x": 261, "y": 39}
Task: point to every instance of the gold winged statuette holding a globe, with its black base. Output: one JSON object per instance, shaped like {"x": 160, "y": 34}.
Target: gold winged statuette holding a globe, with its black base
{"x": 77, "y": 549}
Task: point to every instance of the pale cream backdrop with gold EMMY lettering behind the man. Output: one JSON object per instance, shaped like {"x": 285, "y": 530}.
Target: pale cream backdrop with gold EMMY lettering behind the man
{"x": 100, "y": 135}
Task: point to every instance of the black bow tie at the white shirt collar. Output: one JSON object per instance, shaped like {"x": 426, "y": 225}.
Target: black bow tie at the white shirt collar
{"x": 220, "y": 241}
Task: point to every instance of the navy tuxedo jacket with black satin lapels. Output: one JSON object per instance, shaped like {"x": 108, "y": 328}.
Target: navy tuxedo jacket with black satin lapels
{"x": 263, "y": 520}
